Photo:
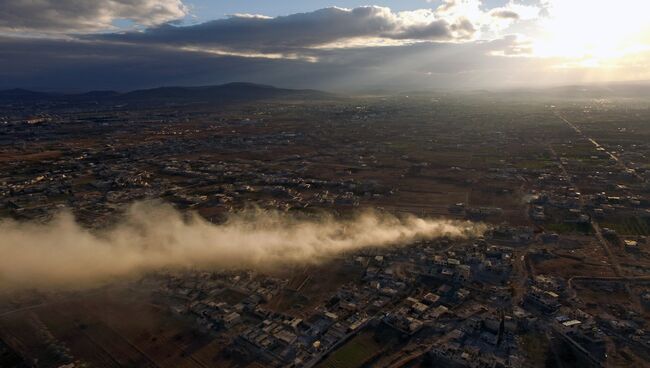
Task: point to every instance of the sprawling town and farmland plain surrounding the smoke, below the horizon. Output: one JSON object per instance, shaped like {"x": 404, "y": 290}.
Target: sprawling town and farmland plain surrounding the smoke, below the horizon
{"x": 561, "y": 277}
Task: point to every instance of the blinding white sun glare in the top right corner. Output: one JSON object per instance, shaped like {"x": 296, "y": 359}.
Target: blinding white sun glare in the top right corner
{"x": 594, "y": 31}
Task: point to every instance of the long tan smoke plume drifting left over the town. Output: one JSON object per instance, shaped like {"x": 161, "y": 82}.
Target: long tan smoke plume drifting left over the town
{"x": 152, "y": 236}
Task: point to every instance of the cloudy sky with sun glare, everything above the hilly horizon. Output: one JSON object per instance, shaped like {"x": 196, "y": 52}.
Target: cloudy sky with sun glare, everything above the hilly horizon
{"x": 336, "y": 45}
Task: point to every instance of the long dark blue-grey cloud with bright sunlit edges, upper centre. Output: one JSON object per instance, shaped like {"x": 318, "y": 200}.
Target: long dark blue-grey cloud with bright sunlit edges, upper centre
{"x": 243, "y": 32}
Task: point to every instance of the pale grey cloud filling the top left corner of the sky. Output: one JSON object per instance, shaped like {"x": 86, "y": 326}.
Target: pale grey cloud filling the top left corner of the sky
{"x": 78, "y": 16}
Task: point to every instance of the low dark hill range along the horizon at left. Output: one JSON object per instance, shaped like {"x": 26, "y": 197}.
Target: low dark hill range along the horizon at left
{"x": 220, "y": 94}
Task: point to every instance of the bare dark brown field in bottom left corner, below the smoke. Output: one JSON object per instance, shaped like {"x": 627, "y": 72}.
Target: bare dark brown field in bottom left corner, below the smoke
{"x": 99, "y": 330}
